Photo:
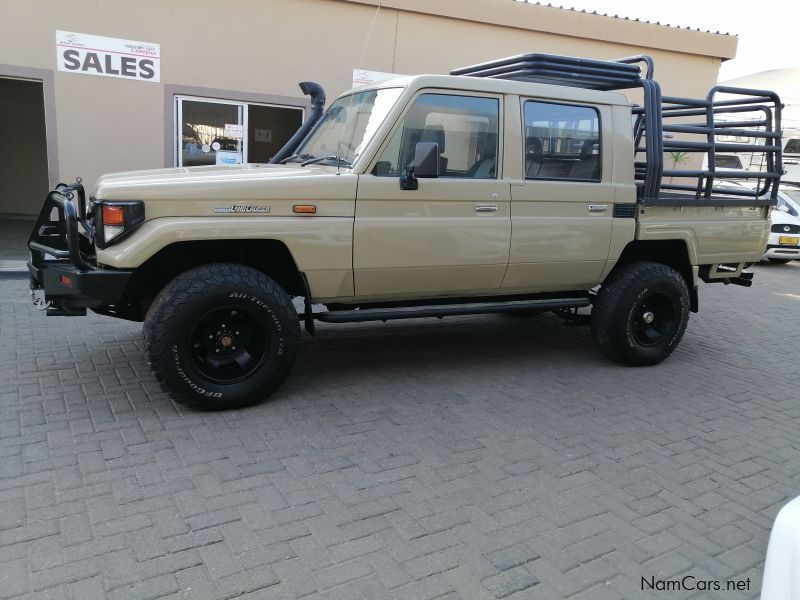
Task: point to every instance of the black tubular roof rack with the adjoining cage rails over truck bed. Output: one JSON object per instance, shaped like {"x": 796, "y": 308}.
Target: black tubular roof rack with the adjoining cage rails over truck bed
{"x": 725, "y": 111}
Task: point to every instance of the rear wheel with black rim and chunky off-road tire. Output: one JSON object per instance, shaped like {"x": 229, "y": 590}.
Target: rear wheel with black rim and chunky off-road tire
{"x": 618, "y": 323}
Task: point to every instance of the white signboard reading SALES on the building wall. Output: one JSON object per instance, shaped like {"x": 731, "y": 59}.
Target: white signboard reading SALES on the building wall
{"x": 108, "y": 57}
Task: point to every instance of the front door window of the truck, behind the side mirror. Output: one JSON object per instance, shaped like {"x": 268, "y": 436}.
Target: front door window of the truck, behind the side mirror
{"x": 465, "y": 127}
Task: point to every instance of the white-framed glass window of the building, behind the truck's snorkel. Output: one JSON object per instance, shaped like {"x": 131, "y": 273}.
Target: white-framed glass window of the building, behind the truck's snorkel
{"x": 217, "y": 132}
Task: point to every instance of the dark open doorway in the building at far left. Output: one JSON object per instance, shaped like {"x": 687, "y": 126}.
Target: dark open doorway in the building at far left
{"x": 23, "y": 170}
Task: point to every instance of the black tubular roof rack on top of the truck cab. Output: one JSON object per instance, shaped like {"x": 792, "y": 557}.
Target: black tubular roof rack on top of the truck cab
{"x": 617, "y": 74}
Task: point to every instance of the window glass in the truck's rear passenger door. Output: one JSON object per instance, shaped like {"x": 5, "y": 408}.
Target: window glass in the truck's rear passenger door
{"x": 562, "y": 142}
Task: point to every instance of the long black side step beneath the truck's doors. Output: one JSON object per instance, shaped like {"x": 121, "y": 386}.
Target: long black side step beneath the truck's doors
{"x": 444, "y": 310}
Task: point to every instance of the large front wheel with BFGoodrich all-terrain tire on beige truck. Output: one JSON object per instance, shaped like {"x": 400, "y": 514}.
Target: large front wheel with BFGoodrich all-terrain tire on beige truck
{"x": 174, "y": 316}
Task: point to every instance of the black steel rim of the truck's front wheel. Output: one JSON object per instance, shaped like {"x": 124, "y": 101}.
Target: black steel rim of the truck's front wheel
{"x": 228, "y": 344}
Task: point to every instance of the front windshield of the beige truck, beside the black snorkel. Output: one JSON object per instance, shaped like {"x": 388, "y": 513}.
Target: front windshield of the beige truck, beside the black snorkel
{"x": 347, "y": 127}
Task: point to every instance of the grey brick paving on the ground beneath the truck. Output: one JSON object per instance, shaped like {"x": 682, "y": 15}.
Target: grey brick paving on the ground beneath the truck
{"x": 475, "y": 457}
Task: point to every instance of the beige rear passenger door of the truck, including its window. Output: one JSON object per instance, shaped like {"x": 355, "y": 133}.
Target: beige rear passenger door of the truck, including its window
{"x": 562, "y": 210}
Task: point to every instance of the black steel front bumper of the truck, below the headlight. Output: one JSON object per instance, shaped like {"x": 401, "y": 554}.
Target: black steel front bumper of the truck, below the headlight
{"x": 68, "y": 291}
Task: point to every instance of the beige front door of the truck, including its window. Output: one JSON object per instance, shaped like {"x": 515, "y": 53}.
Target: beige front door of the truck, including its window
{"x": 451, "y": 236}
